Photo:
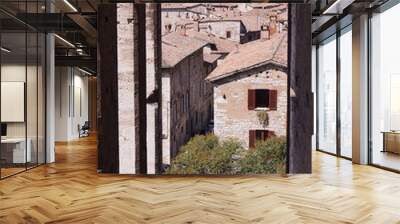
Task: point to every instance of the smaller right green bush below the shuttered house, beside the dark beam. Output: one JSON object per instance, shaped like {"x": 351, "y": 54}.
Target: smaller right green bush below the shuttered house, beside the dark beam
{"x": 268, "y": 157}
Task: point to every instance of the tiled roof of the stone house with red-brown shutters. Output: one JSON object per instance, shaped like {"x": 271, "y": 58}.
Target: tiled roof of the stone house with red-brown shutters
{"x": 252, "y": 55}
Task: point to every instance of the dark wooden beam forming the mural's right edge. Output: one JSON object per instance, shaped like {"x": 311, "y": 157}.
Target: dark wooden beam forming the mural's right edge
{"x": 300, "y": 118}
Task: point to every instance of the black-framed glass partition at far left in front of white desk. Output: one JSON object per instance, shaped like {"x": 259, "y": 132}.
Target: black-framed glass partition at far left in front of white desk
{"x": 22, "y": 77}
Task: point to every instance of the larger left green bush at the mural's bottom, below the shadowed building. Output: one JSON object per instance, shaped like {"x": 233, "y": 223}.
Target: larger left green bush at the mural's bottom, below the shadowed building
{"x": 205, "y": 154}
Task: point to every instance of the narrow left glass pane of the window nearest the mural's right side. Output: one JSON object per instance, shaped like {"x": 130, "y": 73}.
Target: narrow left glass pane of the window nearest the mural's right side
{"x": 327, "y": 96}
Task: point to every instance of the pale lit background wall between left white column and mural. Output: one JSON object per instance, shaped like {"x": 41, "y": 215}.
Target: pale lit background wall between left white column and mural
{"x": 71, "y": 102}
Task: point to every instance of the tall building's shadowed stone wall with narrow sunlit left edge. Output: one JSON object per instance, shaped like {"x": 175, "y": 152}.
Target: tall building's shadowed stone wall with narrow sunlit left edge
{"x": 186, "y": 100}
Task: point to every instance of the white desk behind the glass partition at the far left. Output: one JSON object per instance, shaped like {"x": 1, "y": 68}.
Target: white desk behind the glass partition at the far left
{"x": 13, "y": 150}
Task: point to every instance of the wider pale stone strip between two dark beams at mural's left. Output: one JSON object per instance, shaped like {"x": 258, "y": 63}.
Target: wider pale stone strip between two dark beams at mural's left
{"x": 127, "y": 97}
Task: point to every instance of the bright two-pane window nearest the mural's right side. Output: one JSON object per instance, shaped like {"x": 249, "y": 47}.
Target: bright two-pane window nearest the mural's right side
{"x": 334, "y": 94}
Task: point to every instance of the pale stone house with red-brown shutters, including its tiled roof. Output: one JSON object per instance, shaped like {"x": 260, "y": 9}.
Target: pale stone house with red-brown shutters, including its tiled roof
{"x": 251, "y": 81}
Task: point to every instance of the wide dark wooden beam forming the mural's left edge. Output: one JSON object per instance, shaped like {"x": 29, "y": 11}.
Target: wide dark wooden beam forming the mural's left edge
{"x": 108, "y": 135}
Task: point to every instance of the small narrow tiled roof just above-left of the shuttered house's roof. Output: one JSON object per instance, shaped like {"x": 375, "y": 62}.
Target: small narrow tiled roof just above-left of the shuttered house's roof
{"x": 223, "y": 45}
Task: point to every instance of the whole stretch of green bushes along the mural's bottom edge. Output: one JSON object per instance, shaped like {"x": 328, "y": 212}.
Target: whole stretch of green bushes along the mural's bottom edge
{"x": 205, "y": 154}
